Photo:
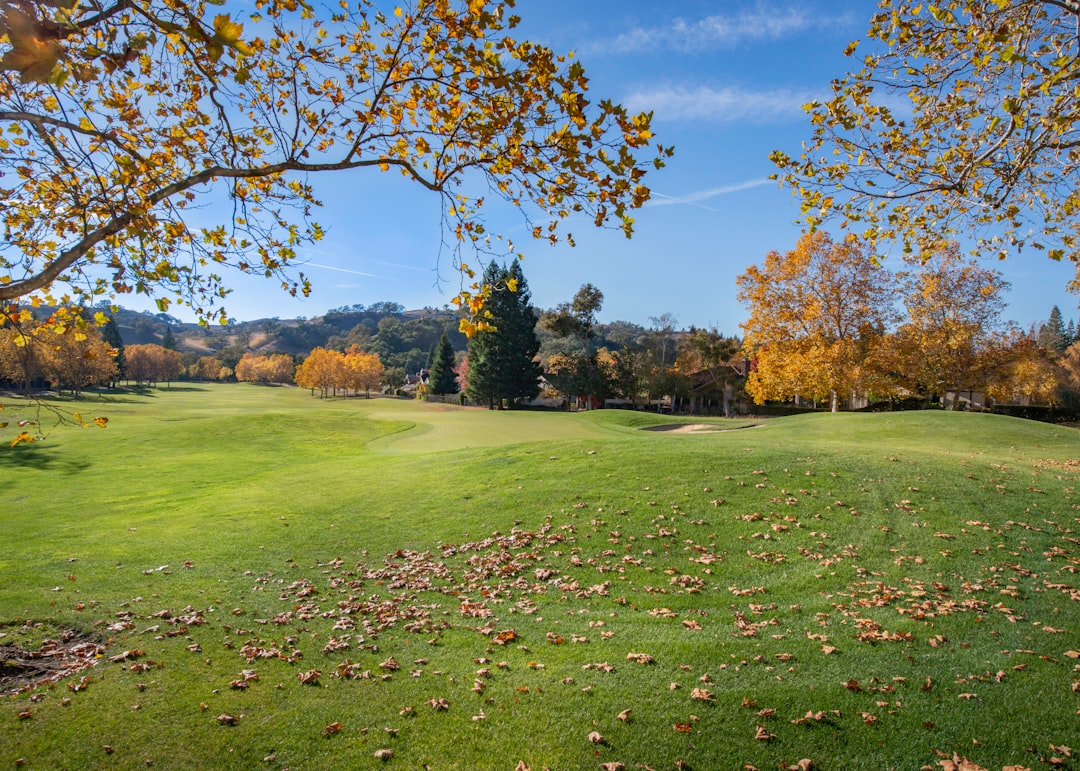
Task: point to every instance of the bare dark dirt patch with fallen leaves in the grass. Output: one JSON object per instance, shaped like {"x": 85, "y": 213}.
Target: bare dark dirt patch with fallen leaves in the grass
{"x": 25, "y": 666}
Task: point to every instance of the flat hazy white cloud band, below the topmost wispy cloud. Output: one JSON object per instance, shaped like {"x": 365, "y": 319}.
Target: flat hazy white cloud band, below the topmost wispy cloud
{"x": 725, "y": 105}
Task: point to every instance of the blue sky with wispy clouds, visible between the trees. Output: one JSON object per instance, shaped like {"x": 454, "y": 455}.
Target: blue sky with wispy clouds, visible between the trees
{"x": 726, "y": 80}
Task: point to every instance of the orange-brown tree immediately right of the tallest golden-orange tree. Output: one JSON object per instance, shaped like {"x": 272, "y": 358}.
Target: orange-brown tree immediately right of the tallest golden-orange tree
{"x": 950, "y": 341}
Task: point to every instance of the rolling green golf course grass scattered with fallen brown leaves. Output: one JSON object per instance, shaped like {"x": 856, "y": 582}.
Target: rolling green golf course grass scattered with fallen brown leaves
{"x": 930, "y": 558}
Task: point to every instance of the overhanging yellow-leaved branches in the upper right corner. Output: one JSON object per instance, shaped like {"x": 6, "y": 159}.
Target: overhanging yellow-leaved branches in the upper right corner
{"x": 962, "y": 120}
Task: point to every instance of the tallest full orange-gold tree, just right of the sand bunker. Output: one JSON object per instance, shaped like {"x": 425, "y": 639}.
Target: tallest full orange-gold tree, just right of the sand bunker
{"x": 817, "y": 315}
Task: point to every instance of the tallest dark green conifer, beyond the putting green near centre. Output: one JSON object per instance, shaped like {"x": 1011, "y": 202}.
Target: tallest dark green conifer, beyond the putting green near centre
{"x": 503, "y": 363}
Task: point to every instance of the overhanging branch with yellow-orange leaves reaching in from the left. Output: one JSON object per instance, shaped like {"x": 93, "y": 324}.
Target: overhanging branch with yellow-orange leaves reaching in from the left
{"x": 118, "y": 117}
